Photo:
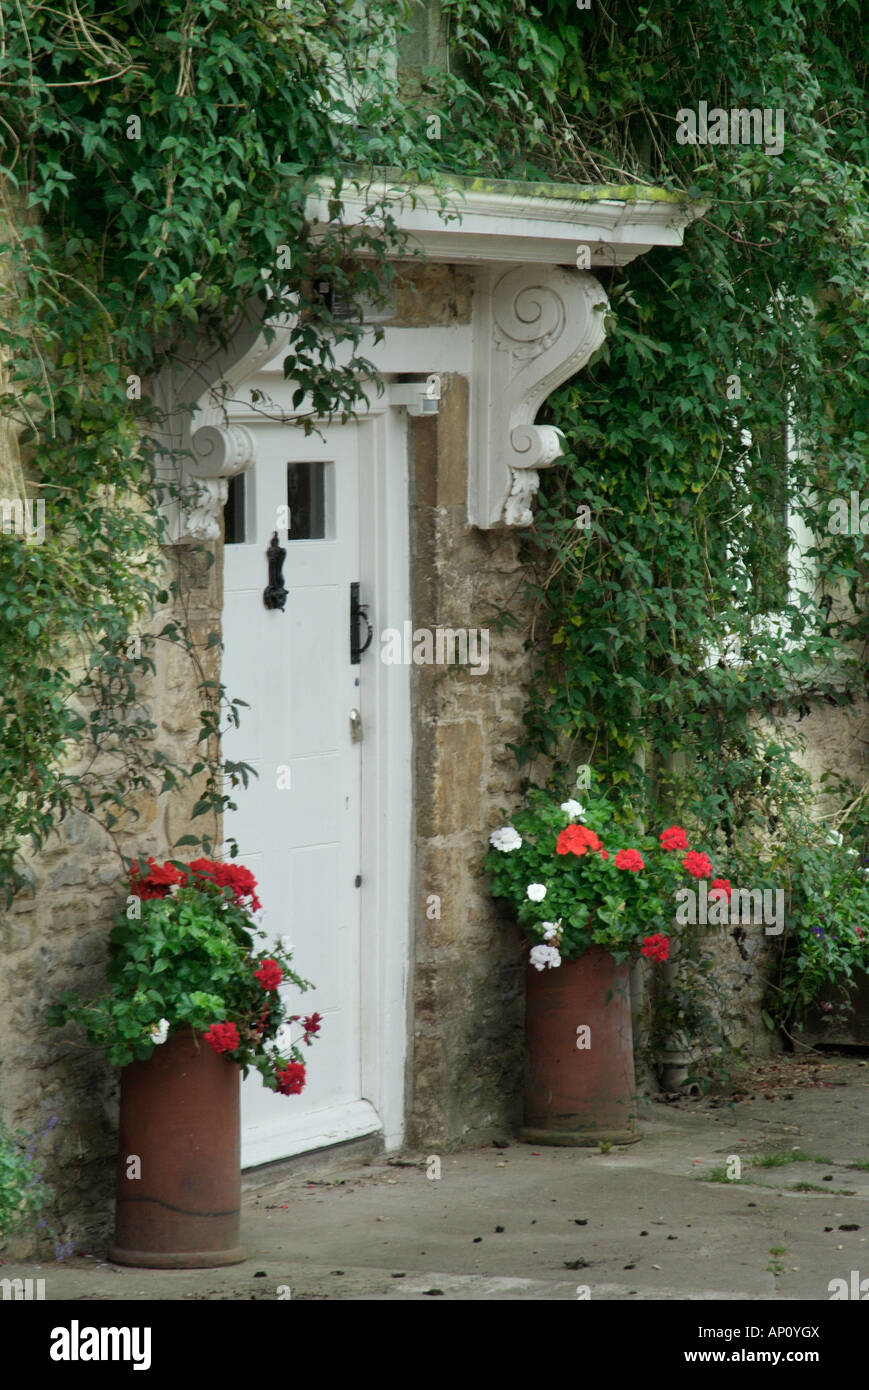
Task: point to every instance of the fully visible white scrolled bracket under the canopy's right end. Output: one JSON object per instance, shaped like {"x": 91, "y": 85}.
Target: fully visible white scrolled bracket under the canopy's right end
{"x": 536, "y": 327}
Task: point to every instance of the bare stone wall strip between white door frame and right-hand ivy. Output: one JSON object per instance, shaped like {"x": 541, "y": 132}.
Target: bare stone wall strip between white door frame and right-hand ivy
{"x": 468, "y": 997}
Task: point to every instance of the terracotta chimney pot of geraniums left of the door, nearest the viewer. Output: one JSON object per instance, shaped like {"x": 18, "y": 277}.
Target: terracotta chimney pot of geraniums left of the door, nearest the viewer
{"x": 191, "y": 1006}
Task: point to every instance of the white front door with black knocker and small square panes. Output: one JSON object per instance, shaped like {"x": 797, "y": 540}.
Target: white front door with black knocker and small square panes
{"x": 298, "y": 825}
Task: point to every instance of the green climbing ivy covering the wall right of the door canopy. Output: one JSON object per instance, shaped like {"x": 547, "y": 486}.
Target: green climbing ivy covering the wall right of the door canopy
{"x": 681, "y": 635}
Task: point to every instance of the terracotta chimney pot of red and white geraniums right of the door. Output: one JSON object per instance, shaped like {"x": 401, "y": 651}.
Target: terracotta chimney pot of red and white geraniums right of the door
{"x": 592, "y": 894}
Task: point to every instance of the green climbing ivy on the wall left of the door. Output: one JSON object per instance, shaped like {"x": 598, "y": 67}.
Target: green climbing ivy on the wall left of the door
{"x": 156, "y": 163}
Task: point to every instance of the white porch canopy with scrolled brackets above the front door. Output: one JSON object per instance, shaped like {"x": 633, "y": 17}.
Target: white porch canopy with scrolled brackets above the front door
{"x": 539, "y": 318}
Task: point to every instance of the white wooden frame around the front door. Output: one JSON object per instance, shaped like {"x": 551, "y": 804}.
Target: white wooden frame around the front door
{"x": 387, "y": 821}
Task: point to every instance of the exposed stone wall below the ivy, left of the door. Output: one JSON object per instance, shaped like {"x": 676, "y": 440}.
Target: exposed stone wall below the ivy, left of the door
{"x": 55, "y": 939}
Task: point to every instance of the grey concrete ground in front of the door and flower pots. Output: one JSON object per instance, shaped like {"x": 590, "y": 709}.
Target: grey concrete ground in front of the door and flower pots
{"x": 519, "y": 1223}
